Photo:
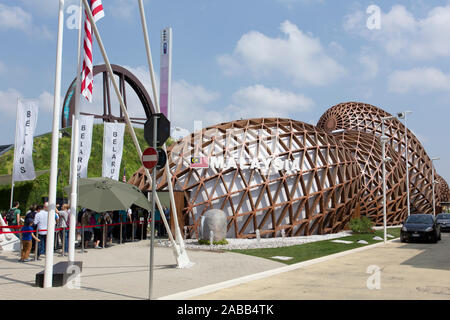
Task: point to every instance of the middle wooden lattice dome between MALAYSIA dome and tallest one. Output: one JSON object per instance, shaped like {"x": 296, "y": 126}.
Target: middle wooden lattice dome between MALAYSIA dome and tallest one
{"x": 366, "y": 148}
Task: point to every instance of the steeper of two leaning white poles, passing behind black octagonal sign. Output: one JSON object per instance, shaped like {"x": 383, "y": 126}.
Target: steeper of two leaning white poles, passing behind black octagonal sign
{"x": 179, "y": 237}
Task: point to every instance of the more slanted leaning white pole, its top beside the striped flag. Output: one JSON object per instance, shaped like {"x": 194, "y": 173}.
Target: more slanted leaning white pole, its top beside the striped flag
{"x": 176, "y": 248}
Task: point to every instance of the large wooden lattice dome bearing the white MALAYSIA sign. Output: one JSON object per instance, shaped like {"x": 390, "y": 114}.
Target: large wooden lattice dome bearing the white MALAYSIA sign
{"x": 317, "y": 198}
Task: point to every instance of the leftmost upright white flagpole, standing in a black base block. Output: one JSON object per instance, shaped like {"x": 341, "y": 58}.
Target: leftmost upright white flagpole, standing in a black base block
{"x": 48, "y": 272}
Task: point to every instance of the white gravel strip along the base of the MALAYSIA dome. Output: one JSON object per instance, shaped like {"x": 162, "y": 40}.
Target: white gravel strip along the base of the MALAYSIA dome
{"x": 254, "y": 243}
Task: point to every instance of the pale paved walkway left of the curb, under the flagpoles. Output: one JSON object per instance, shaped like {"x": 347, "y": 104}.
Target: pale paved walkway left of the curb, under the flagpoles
{"x": 122, "y": 272}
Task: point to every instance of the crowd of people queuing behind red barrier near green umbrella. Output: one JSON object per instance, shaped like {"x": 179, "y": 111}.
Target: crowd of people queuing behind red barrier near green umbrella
{"x": 94, "y": 229}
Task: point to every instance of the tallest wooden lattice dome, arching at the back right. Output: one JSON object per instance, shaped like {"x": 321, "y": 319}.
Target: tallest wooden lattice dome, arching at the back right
{"x": 367, "y": 118}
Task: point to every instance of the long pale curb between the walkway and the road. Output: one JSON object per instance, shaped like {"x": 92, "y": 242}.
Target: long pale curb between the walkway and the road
{"x": 230, "y": 283}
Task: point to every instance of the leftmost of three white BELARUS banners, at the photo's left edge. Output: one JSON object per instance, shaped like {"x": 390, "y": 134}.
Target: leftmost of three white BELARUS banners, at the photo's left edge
{"x": 27, "y": 112}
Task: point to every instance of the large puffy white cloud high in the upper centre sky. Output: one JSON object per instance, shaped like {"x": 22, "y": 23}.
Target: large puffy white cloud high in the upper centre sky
{"x": 298, "y": 56}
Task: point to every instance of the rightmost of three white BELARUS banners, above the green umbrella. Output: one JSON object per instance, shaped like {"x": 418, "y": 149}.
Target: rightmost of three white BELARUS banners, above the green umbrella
{"x": 112, "y": 149}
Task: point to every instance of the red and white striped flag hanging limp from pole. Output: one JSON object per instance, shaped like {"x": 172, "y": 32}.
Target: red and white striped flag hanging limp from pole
{"x": 87, "y": 76}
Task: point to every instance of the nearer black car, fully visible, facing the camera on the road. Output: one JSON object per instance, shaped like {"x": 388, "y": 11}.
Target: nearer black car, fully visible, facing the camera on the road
{"x": 420, "y": 227}
